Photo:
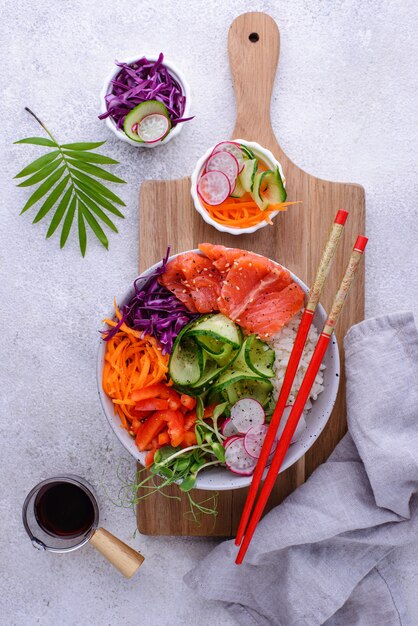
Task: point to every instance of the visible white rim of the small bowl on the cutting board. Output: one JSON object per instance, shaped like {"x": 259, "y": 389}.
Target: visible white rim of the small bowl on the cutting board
{"x": 263, "y": 154}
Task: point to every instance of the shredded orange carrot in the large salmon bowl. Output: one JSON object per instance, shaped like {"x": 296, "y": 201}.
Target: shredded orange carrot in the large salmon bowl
{"x": 131, "y": 362}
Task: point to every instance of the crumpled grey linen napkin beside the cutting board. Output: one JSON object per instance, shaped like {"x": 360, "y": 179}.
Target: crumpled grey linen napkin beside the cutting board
{"x": 324, "y": 555}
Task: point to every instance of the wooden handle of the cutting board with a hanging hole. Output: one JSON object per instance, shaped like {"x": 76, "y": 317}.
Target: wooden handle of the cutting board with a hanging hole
{"x": 253, "y": 46}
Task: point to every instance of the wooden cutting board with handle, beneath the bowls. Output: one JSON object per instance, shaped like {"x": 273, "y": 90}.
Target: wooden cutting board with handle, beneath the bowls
{"x": 295, "y": 240}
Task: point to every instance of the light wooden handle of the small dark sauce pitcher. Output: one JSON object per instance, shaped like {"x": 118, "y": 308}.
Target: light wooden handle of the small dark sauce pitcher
{"x": 119, "y": 554}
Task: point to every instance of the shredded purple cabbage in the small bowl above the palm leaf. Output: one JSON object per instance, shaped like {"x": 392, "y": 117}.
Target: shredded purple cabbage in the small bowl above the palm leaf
{"x": 140, "y": 81}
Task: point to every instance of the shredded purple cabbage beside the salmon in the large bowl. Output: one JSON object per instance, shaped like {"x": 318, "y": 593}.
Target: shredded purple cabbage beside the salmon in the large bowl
{"x": 154, "y": 310}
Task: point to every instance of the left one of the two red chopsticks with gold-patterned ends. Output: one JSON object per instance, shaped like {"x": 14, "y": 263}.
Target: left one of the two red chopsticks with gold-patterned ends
{"x": 303, "y": 330}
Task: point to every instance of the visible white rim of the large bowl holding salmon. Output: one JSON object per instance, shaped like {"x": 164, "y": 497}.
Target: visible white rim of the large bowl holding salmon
{"x": 220, "y": 478}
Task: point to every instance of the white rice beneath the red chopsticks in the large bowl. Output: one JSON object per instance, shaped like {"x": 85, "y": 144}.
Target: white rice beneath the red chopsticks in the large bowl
{"x": 282, "y": 344}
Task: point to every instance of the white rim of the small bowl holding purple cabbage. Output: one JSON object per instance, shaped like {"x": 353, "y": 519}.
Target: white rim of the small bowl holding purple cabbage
{"x": 107, "y": 88}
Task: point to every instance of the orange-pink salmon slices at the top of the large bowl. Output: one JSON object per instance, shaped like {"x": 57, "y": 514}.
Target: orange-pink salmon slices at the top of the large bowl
{"x": 250, "y": 289}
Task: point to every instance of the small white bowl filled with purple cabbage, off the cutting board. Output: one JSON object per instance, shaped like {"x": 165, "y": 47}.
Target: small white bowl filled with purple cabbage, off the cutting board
{"x": 145, "y": 101}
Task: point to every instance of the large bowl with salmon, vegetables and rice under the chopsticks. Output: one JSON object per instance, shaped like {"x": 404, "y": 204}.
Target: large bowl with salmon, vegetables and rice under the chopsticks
{"x": 218, "y": 384}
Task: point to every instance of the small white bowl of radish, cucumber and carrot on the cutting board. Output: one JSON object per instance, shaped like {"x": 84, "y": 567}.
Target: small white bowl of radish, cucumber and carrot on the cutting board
{"x": 238, "y": 187}
